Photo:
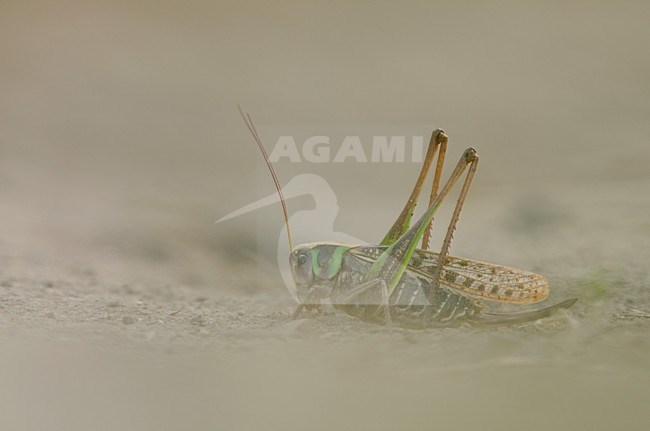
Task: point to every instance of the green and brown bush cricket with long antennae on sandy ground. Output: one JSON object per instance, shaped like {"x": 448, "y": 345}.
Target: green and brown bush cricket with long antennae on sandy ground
{"x": 396, "y": 282}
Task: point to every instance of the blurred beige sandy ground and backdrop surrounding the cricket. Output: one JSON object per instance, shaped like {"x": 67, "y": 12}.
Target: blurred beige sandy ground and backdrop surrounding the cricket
{"x": 124, "y": 306}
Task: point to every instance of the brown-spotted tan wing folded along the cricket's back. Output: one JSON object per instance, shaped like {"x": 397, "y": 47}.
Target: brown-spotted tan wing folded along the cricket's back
{"x": 473, "y": 278}
